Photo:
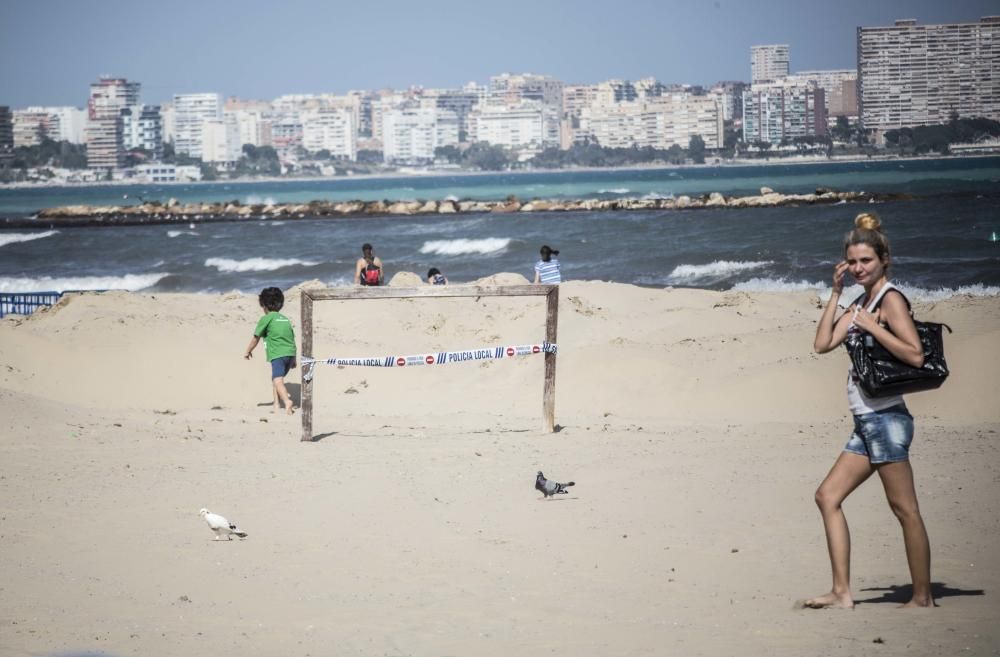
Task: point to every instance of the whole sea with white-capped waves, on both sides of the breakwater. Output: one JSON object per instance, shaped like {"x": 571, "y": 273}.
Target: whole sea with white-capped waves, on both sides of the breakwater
{"x": 945, "y": 239}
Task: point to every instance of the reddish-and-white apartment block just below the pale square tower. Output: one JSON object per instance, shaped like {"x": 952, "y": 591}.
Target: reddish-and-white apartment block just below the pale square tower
{"x": 783, "y": 111}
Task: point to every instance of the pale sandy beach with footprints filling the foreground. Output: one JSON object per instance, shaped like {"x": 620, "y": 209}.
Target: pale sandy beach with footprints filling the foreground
{"x": 695, "y": 424}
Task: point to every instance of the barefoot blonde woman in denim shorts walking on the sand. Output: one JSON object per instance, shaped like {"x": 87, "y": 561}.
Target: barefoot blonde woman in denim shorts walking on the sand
{"x": 883, "y": 427}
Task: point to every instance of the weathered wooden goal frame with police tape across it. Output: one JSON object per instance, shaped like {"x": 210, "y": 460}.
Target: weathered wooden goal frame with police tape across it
{"x": 550, "y": 292}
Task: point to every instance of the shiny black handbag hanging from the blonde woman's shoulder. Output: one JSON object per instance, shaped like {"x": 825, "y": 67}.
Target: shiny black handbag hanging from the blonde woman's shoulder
{"x": 880, "y": 374}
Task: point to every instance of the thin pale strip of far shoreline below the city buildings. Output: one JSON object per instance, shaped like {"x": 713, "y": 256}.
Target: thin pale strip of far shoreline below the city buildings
{"x": 432, "y": 173}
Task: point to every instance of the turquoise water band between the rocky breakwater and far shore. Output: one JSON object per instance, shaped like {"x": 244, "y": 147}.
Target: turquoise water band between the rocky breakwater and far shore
{"x": 914, "y": 176}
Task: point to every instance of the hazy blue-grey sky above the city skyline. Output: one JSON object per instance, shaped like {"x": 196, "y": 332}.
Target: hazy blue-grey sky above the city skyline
{"x": 51, "y": 50}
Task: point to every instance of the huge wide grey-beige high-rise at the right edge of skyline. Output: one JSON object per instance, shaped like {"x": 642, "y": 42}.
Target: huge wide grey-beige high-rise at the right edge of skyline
{"x": 911, "y": 75}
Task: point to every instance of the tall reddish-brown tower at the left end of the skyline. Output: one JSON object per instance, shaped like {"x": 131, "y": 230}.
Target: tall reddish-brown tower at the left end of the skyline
{"x": 105, "y": 143}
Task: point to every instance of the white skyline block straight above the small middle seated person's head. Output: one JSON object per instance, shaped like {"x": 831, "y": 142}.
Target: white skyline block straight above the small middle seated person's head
{"x": 412, "y": 135}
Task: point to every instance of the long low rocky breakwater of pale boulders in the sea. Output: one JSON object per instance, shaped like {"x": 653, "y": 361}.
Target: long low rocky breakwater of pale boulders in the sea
{"x": 175, "y": 212}
